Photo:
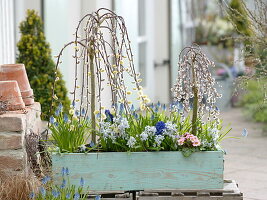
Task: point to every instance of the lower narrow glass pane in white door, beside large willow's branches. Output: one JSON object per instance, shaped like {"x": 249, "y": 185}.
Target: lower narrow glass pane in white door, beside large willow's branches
{"x": 142, "y": 61}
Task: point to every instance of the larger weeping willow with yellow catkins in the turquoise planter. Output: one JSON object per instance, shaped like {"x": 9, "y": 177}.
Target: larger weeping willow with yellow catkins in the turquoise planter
{"x": 103, "y": 51}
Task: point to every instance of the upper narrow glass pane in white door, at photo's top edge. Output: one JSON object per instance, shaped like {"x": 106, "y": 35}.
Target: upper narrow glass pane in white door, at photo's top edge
{"x": 141, "y": 18}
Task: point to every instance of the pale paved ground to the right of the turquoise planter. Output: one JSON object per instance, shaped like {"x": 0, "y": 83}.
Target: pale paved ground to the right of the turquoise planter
{"x": 246, "y": 159}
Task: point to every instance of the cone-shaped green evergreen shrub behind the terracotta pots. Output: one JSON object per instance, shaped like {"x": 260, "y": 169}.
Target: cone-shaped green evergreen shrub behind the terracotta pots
{"x": 35, "y": 54}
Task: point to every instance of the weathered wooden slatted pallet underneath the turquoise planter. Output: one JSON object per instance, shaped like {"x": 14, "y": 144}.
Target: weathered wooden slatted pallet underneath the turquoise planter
{"x": 229, "y": 192}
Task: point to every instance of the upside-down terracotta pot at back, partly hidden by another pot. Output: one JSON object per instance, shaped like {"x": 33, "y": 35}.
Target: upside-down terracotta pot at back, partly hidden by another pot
{"x": 18, "y": 72}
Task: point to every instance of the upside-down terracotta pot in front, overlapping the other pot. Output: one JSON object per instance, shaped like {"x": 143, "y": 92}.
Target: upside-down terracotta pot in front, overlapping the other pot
{"x": 10, "y": 94}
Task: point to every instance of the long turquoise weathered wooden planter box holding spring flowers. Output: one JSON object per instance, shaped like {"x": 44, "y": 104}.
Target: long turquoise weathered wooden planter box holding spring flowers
{"x": 108, "y": 171}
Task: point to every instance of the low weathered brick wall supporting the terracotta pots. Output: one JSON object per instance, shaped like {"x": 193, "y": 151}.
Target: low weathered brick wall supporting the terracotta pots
{"x": 14, "y": 125}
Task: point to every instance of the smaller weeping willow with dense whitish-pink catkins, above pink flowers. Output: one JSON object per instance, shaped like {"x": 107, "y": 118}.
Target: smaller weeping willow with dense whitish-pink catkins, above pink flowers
{"x": 194, "y": 82}
